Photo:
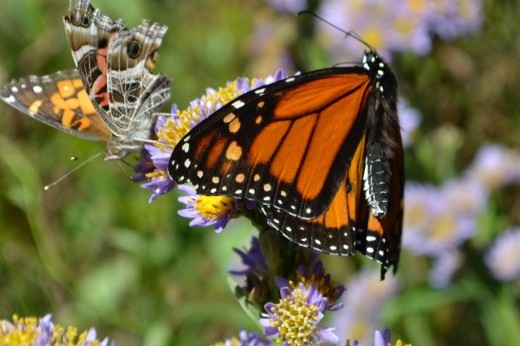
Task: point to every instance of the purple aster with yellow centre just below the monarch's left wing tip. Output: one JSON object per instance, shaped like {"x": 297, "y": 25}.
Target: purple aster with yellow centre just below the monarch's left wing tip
{"x": 206, "y": 210}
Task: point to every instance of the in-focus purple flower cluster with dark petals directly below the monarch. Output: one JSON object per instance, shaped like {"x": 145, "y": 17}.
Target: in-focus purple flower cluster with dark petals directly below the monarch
{"x": 294, "y": 309}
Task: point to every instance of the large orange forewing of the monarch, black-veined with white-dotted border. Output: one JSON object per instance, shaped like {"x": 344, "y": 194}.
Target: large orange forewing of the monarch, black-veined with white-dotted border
{"x": 288, "y": 148}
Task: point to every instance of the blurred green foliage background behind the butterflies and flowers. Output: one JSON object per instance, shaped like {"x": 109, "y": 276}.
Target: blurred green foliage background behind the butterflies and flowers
{"x": 93, "y": 252}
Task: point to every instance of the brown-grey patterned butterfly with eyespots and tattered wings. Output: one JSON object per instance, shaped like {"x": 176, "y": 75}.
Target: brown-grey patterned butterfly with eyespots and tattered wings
{"x": 112, "y": 95}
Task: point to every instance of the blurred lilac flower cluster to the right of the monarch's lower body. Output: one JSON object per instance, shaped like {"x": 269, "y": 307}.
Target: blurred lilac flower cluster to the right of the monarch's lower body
{"x": 438, "y": 219}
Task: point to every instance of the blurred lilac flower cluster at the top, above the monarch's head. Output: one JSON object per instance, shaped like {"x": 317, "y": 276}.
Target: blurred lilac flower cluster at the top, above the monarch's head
{"x": 398, "y": 26}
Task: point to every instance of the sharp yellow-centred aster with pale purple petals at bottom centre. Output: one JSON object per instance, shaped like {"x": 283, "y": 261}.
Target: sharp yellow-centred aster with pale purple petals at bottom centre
{"x": 294, "y": 319}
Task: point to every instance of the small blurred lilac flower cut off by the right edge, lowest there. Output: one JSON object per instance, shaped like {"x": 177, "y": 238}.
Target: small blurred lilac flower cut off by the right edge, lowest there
{"x": 503, "y": 257}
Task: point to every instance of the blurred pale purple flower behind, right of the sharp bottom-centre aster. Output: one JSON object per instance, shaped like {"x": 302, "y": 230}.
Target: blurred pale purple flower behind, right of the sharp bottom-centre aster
{"x": 364, "y": 298}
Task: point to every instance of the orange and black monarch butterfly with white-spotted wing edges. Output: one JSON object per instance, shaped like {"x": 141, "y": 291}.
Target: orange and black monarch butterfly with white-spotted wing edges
{"x": 320, "y": 153}
